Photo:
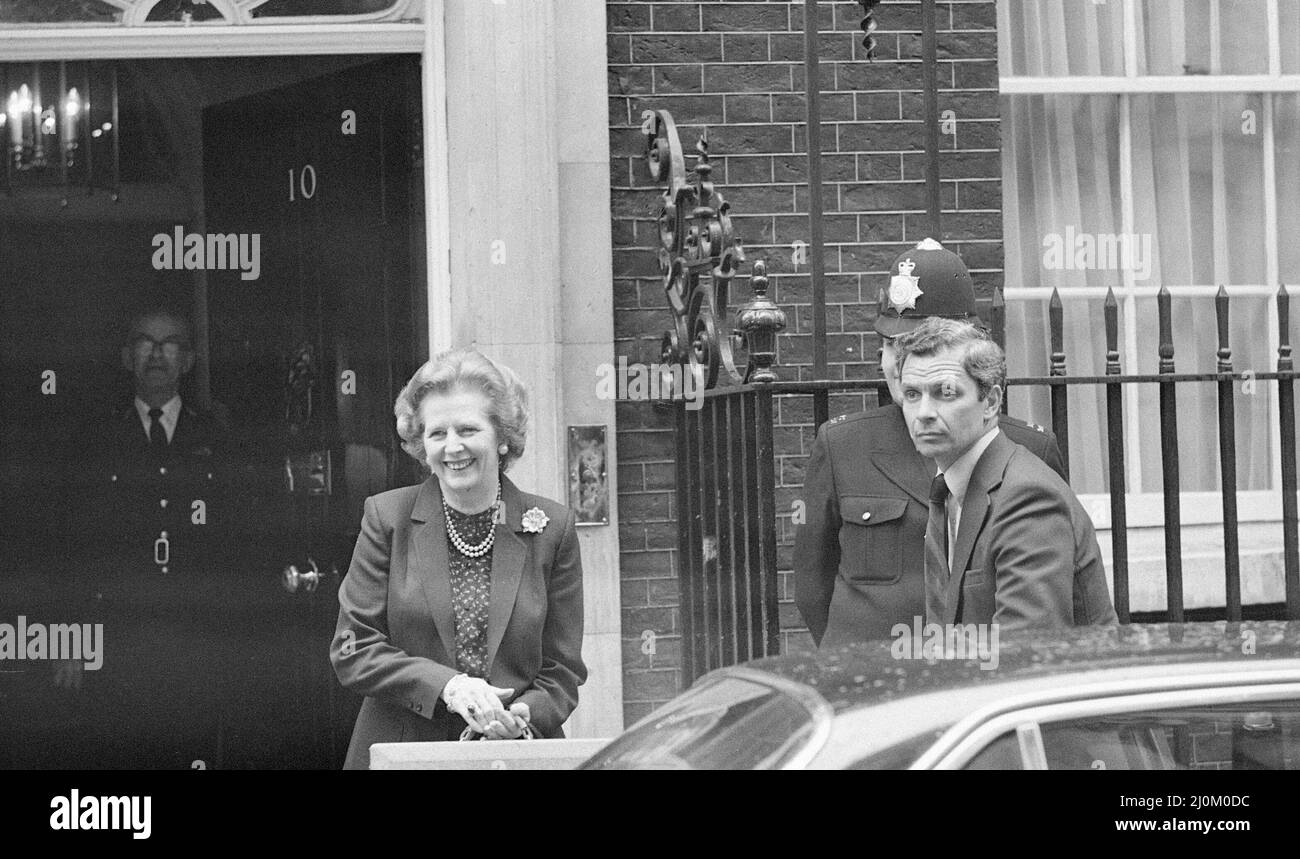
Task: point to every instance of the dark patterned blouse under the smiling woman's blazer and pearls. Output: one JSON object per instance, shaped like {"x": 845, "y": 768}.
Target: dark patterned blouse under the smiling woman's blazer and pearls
{"x": 471, "y": 592}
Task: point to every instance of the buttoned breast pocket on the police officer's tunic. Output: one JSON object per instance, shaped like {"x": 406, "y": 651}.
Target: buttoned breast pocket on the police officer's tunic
{"x": 873, "y": 545}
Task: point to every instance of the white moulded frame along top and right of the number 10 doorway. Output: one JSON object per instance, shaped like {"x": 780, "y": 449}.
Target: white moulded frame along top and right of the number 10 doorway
{"x": 116, "y": 42}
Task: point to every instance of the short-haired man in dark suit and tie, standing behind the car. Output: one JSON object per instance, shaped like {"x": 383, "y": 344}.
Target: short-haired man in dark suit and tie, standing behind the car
{"x": 1007, "y": 540}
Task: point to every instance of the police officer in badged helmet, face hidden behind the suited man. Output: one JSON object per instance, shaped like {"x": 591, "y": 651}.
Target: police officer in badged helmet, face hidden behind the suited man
{"x": 860, "y": 556}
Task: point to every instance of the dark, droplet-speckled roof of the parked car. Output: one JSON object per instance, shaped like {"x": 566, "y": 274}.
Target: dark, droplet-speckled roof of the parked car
{"x": 869, "y": 674}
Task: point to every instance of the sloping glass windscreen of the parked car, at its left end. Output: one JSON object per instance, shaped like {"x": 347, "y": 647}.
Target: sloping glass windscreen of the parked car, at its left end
{"x": 725, "y": 723}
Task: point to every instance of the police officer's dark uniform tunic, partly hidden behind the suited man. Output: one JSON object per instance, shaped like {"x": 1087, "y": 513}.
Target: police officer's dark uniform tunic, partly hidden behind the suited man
{"x": 860, "y": 556}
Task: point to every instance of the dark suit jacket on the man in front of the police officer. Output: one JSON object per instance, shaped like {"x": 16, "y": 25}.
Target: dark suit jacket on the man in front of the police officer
{"x": 1026, "y": 553}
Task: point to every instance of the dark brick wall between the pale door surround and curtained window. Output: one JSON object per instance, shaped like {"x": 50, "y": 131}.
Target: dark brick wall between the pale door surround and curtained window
{"x": 738, "y": 68}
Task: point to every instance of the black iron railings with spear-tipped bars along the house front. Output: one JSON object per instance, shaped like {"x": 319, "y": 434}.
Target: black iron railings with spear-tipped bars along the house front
{"x": 726, "y": 489}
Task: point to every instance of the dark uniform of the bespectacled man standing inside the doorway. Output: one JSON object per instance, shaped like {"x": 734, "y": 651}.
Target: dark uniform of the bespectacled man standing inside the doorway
{"x": 150, "y": 556}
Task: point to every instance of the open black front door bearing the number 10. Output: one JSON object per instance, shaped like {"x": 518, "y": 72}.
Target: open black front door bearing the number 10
{"x": 307, "y": 361}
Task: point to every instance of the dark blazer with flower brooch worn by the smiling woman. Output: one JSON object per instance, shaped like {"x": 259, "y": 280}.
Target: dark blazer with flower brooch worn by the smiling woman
{"x": 396, "y": 636}
